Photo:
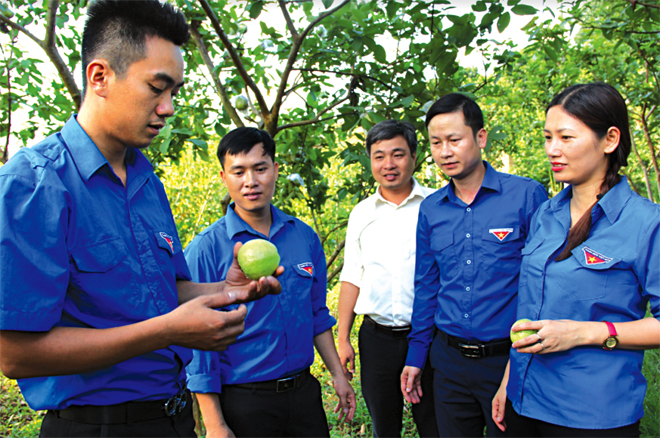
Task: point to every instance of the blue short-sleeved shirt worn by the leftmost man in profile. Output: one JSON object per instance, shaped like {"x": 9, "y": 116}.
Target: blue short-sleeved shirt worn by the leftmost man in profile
{"x": 78, "y": 249}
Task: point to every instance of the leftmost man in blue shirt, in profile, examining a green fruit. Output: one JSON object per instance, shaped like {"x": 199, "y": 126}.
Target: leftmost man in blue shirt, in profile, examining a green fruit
{"x": 97, "y": 310}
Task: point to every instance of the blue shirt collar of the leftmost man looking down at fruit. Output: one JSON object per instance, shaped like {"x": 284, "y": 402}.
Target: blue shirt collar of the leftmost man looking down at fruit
{"x": 89, "y": 159}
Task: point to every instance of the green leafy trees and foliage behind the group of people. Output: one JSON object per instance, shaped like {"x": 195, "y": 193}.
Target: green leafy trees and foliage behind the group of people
{"x": 322, "y": 73}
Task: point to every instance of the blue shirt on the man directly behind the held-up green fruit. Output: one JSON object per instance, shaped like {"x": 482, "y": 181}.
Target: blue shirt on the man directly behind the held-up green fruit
{"x": 279, "y": 329}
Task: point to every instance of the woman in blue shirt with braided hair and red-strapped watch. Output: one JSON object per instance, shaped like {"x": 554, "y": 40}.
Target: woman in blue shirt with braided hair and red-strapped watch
{"x": 590, "y": 269}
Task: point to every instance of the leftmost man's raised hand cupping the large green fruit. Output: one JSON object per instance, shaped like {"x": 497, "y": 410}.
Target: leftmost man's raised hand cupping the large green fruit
{"x": 243, "y": 289}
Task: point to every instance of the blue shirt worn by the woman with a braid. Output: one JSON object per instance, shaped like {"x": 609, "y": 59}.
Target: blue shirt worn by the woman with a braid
{"x": 612, "y": 276}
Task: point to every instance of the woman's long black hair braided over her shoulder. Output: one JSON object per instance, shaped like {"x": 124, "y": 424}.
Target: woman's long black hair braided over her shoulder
{"x": 599, "y": 106}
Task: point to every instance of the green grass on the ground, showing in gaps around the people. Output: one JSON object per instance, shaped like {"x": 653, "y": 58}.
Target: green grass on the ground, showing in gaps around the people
{"x": 17, "y": 420}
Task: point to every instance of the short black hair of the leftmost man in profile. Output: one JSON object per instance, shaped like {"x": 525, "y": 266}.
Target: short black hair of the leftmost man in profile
{"x": 117, "y": 31}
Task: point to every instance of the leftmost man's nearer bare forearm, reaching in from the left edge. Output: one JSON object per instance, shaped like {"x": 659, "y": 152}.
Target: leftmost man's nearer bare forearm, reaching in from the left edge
{"x": 70, "y": 350}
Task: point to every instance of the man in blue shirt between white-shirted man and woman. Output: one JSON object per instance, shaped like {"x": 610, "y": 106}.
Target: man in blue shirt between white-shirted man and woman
{"x": 469, "y": 237}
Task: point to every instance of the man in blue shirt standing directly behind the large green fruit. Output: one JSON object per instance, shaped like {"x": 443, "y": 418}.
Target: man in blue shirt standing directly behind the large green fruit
{"x": 261, "y": 385}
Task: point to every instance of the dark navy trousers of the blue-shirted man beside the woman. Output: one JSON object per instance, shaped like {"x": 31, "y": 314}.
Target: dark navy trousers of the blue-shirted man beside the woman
{"x": 464, "y": 388}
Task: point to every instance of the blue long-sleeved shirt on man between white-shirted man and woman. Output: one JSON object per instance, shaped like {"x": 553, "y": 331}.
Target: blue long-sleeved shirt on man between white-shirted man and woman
{"x": 468, "y": 259}
